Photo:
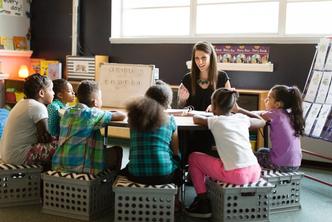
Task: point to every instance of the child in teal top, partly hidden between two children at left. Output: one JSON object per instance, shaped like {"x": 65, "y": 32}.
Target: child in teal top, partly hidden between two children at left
{"x": 63, "y": 94}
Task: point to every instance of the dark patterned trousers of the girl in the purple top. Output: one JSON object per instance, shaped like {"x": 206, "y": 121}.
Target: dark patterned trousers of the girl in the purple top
{"x": 264, "y": 160}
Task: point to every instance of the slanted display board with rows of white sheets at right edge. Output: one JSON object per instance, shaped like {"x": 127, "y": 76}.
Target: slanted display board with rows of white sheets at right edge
{"x": 317, "y": 105}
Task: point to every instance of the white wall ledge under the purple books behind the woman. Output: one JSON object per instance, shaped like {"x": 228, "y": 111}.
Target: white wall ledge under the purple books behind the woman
{"x": 247, "y": 67}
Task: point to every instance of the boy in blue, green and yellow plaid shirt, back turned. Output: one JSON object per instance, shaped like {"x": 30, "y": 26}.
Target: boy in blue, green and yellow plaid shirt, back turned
{"x": 81, "y": 147}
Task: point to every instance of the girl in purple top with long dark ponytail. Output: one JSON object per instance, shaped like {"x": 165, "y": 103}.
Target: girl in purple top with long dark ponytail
{"x": 285, "y": 114}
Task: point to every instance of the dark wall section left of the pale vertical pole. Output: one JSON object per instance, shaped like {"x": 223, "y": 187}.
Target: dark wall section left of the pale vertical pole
{"x": 51, "y": 28}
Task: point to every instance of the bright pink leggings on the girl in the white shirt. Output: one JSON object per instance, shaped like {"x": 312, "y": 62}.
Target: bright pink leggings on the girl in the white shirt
{"x": 202, "y": 165}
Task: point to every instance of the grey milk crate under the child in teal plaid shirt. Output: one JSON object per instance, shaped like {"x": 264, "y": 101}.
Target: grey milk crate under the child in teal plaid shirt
{"x": 140, "y": 202}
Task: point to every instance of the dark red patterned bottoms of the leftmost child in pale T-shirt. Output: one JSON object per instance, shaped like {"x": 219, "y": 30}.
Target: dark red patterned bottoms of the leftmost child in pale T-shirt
{"x": 41, "y": 153}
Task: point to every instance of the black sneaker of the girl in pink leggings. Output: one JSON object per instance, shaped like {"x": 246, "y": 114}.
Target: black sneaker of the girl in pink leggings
{"x": 200, "y": 208}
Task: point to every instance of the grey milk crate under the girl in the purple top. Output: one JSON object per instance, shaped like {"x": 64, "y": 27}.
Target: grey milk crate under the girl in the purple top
{"x": 285, "y": 195}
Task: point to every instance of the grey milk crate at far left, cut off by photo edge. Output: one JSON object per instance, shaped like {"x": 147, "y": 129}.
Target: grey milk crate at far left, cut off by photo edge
{"x": 19, "y": 185}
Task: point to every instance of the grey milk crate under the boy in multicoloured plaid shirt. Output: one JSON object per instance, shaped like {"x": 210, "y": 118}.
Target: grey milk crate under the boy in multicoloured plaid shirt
{"x": 80, "y": 196}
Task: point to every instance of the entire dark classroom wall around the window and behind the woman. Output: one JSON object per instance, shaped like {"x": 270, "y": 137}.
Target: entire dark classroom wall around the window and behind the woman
{"x": 51, "y": 39}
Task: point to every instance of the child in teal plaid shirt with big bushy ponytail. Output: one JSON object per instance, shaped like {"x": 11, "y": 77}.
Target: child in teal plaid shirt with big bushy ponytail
{"x": 153, "y": 138}
